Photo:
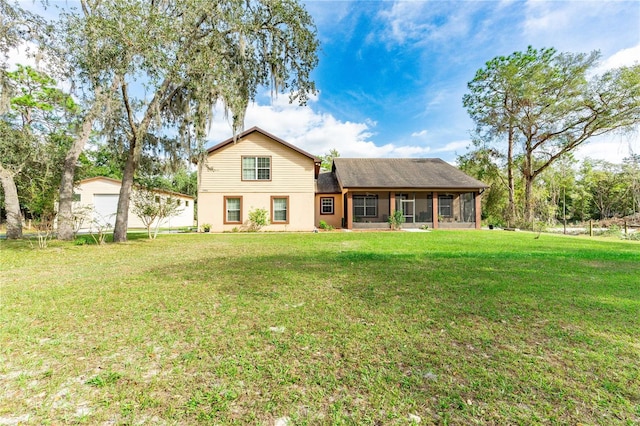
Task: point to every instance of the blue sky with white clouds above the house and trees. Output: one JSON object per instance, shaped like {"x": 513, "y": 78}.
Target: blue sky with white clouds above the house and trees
{"x": 392, "y": 73}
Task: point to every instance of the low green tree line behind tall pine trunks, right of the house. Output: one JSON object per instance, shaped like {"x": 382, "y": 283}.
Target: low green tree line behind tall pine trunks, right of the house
{"x": 568, "y": 191}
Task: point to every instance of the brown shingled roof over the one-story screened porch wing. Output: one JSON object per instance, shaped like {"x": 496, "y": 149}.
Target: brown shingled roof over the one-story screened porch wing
{"x": 401, "y": 173}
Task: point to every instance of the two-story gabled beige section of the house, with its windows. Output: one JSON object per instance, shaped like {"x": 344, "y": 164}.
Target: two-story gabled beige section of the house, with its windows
{"x": 257, "y": 170}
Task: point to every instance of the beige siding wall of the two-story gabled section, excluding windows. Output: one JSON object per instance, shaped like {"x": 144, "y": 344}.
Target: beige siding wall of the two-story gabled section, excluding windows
{"x": 292, "y": 175}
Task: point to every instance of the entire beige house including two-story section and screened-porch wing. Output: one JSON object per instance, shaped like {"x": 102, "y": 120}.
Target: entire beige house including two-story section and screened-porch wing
{"x": 257, "y": 170}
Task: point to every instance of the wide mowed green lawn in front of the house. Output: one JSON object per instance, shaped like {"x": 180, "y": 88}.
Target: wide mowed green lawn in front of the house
{"x": 330, "y": 328}
